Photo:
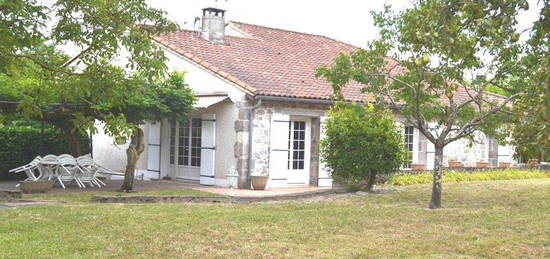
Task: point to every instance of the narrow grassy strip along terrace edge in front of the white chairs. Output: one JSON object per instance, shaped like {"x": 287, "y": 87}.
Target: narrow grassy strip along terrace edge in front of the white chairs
{"x": 87, "y": 196}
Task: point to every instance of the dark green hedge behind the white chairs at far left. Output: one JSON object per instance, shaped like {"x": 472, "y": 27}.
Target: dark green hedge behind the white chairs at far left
{"x": 20, "y": 145}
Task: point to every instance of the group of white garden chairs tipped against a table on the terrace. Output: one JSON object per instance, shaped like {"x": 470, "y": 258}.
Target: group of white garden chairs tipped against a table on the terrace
{"x": 65, "y": 169}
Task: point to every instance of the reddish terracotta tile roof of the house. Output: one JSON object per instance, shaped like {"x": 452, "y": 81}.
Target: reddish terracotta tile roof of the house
{"x": 272, "y": 62}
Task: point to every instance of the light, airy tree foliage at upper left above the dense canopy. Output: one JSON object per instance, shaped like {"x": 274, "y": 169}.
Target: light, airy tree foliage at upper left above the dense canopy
{"x": 99, "y": 29}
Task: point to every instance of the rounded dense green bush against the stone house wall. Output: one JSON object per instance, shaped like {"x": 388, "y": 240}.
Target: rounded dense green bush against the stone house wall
{"x": 361, "y": 142}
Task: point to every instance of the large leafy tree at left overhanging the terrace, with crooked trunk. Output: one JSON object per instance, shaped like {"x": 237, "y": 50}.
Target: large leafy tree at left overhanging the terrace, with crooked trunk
{"x": 40, "y": 72}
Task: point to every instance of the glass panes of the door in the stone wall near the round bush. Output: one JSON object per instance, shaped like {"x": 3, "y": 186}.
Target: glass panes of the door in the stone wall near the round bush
{"x": 296, "y": 145}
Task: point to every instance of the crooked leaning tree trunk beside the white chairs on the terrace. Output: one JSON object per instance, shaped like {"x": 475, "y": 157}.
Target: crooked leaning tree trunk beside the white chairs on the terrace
{"x": 133, "y": 153}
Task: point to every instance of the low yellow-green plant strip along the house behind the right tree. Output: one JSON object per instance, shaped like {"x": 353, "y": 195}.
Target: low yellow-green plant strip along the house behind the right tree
{"x": 458, "y": 176}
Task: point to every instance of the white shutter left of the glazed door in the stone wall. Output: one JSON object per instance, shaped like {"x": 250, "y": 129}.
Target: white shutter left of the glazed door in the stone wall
{"x": 278, "y": 159}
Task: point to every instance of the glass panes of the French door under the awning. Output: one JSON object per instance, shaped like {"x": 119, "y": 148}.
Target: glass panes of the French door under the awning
{"x": 185, "y": 142}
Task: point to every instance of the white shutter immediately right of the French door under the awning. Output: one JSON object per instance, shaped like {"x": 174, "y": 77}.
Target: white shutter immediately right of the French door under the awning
{"x": 208, "y": 149}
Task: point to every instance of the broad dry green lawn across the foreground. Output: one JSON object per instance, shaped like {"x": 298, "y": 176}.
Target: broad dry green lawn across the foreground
{"x": 480, "y": 219}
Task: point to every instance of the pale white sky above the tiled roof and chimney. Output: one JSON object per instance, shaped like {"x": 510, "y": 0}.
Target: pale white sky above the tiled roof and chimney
{"x": 345, "y": 20}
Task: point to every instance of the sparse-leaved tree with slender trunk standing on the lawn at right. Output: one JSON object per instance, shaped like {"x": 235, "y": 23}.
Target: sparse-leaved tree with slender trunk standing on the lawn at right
{"x": 433, "y": 62}
